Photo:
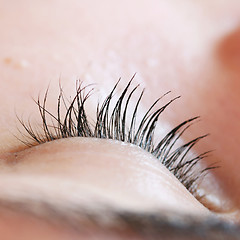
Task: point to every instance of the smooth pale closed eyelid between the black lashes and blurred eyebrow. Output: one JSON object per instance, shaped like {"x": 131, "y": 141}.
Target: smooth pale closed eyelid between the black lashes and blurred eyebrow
{"x": 124, "y": 172}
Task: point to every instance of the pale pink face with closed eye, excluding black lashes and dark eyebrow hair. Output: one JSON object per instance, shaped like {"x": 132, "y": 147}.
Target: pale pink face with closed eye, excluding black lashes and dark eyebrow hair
{"x": 189, "y": 48}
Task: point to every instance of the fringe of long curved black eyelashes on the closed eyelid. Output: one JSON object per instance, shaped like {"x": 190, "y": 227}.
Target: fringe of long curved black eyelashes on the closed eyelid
{"x": 114, "y": 124}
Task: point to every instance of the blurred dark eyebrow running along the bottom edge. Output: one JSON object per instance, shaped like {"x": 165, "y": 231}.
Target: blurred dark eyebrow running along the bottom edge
{"x": 147, "y": 224}
